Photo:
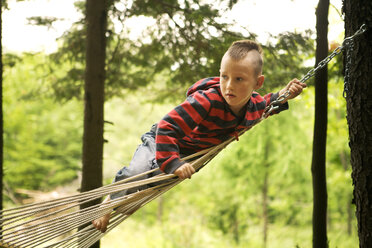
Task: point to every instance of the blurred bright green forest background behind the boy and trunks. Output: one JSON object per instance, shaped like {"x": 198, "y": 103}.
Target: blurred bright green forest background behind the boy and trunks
{"x": 223, "y": 205}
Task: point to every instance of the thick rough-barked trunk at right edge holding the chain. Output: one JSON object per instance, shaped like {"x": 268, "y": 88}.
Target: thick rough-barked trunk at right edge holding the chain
{"x": 359, "y": 114}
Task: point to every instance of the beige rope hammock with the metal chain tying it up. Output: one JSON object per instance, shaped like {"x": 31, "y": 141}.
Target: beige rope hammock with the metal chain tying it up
{"x": 61, "y": 222}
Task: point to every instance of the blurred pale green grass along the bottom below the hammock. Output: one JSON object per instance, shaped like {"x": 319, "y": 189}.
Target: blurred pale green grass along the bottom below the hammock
{"x": 189, "y": 232}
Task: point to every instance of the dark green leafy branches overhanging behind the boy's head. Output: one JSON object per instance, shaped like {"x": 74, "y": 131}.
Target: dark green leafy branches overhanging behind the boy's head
{"x": 182, "y": 42}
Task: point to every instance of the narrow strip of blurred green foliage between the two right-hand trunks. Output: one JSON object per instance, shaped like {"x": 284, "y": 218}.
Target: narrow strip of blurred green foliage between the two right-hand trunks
{"x": 338, "y": 156}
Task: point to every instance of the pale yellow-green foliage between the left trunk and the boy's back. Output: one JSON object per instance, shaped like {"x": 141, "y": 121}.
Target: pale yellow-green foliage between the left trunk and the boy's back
{"x": 128, "y": 124}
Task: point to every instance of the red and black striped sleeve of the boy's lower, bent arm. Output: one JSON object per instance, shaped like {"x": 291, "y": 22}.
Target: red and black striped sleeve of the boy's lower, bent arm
{"x": 177, "y": 124}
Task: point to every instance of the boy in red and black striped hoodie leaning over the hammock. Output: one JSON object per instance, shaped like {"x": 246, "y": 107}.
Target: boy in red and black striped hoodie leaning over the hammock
{"x": 215, "y": 110}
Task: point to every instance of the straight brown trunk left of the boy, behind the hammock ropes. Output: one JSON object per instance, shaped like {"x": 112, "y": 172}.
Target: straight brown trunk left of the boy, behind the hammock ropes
{"x": 96, "y": 18}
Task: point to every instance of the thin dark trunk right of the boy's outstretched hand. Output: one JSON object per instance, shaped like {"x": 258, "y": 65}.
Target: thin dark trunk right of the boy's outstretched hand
{"x": 320, "y": 131}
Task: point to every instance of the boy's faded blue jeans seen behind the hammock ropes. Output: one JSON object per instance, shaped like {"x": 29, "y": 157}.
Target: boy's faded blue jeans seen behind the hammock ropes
{"x": 143, "y": 160}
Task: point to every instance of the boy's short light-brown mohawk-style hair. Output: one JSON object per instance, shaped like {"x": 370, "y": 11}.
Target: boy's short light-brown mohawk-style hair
{"x": 239, "y": 50}
